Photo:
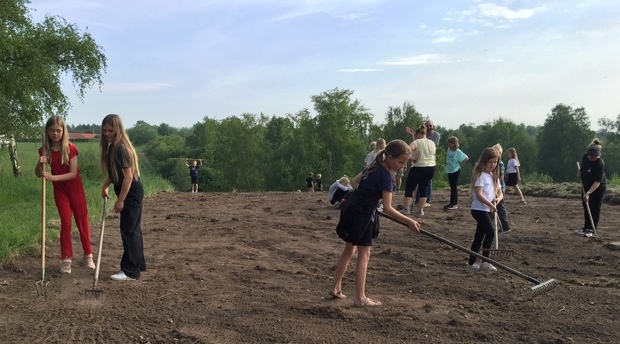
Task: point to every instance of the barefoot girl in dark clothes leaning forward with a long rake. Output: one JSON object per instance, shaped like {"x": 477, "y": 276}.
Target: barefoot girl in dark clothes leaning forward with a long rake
{"x": 359, "y": 221}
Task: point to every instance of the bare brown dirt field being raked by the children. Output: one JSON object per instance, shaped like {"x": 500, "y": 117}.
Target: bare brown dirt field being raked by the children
{"x": 257, "y": 268}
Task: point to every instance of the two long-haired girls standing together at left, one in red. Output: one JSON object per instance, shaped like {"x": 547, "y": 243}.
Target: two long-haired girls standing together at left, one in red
{"x": 119, "y": 163}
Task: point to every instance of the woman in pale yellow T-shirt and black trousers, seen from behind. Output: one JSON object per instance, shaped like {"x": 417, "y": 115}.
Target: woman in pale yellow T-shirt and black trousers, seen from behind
{"x": 422, "y": 168}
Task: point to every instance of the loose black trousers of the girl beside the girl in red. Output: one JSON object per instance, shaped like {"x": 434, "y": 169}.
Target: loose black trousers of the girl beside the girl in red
{"x": 132, "y": 262}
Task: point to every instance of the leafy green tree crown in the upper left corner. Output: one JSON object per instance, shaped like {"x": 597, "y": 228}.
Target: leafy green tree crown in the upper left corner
{"x": 34, "y": 57}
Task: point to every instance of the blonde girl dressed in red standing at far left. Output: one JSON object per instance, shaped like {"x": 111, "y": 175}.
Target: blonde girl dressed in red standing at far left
{"x": 69, "y": 194}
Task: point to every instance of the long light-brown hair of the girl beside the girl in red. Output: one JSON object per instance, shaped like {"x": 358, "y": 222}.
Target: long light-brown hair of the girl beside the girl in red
{"x": 120, "y": 139}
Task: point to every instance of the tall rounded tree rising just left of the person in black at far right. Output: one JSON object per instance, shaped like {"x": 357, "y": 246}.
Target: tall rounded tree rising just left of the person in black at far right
{"x": 562, "y": 140}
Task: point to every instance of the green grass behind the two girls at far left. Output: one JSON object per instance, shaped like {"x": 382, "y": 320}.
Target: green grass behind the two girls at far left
{"x": 21, "y": 198}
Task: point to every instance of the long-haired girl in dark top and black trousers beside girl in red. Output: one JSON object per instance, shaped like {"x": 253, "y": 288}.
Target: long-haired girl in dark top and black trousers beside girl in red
{"x": 120, "y": 163}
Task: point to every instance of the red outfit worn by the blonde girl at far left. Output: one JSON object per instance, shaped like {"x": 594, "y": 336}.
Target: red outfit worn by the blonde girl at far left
{"x": 70, "y": 200}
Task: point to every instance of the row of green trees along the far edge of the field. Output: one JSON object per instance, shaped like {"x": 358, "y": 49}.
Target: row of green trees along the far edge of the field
{"x": 255, "y": 152}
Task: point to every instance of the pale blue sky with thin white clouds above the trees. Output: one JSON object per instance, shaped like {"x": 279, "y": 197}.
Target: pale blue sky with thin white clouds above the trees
{"x": 457, "y": 61}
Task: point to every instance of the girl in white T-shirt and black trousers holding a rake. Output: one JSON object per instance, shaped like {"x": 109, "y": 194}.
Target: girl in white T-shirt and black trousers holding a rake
{"x": 486, "y": 192}
